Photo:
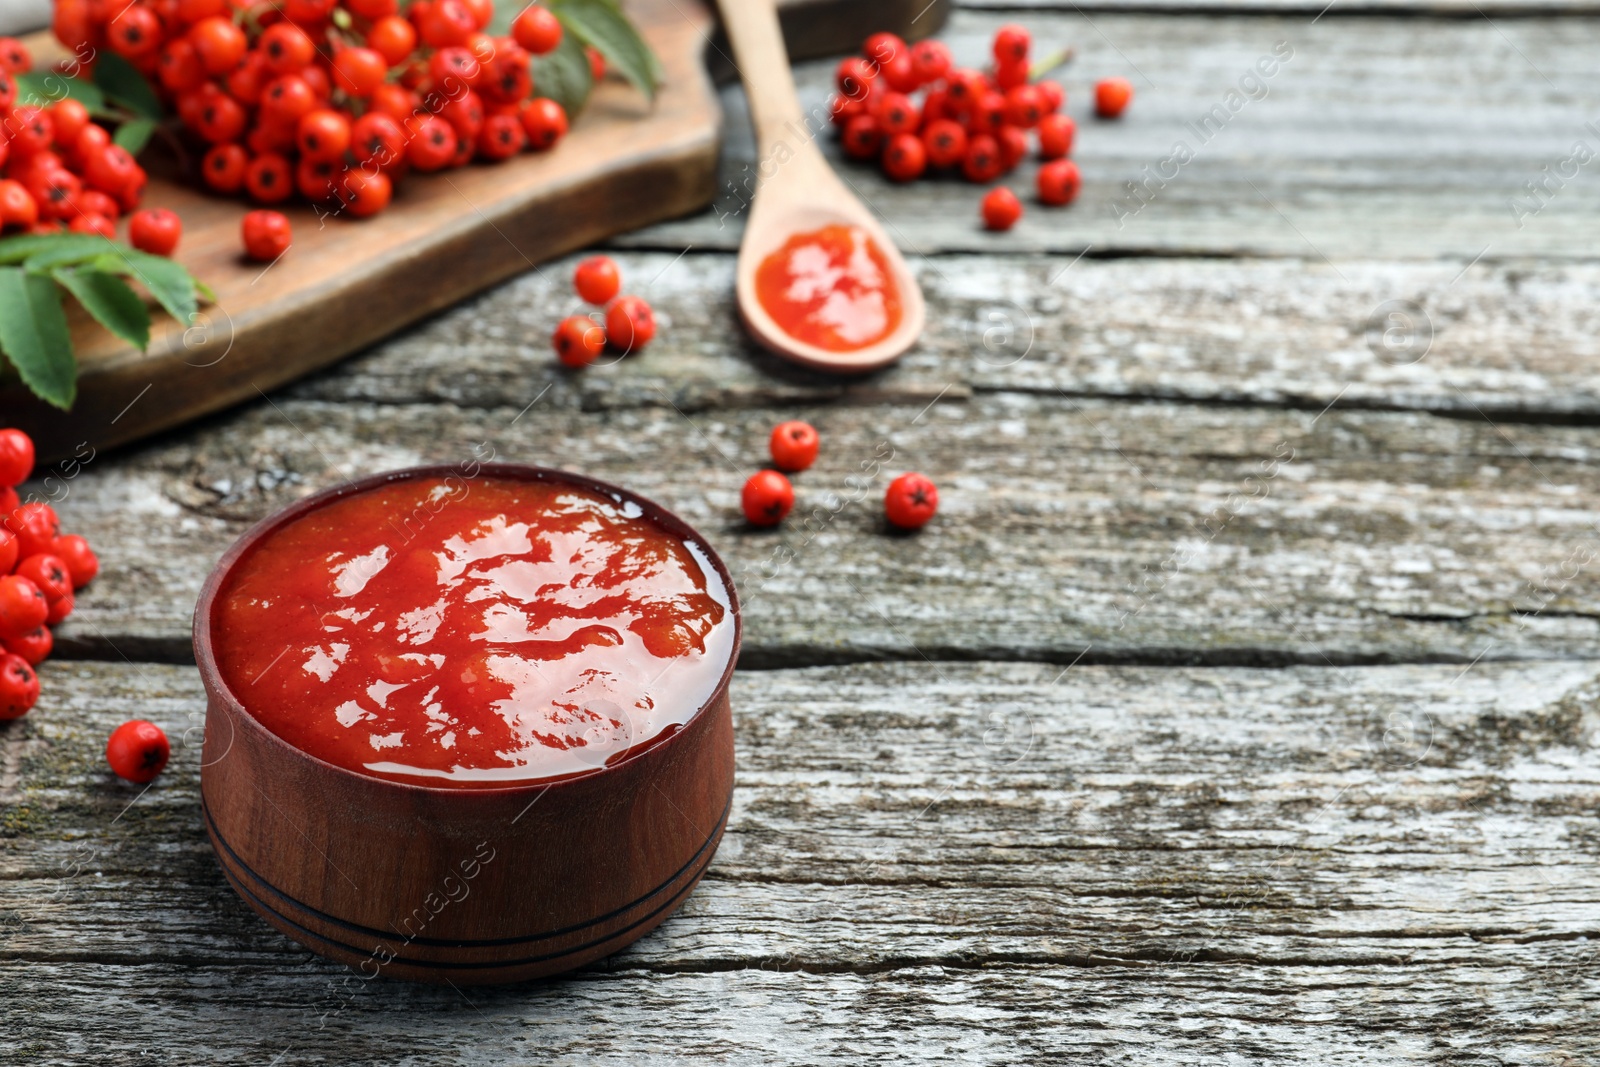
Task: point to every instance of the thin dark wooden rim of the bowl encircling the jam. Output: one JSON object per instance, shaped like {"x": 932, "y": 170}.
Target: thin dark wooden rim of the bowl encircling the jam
{"x": 218, "y": 689}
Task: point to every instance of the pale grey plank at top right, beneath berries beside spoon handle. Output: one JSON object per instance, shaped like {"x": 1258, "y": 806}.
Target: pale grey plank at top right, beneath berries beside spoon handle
{"x": 1380, "y": 138}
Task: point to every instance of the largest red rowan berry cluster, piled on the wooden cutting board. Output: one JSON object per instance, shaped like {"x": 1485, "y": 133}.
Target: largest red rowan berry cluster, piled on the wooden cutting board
{"x": 332, "y": 100}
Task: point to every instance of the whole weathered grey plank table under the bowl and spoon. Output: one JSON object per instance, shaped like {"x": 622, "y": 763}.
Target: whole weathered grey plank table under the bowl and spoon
{"x": 1238, "y": 709}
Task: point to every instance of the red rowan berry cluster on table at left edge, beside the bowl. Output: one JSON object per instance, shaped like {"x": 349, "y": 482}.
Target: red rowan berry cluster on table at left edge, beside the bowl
{"x": 41, "y": 570}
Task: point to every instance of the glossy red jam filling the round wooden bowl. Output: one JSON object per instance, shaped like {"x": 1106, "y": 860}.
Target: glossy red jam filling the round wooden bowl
{"x": 473, "y": 633}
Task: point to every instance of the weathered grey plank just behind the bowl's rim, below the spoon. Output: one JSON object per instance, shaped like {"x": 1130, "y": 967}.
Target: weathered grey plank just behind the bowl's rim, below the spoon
{"x": 1118, "y": 532}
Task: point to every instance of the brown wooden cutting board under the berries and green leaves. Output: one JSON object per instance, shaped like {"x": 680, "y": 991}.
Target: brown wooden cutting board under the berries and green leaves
{"x": 348, "y": 284}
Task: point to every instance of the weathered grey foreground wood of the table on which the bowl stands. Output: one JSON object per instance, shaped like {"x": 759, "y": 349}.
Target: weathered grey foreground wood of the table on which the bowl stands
{"x": 972, "y": 863}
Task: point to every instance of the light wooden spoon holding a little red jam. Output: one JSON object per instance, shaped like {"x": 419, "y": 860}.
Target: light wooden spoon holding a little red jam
{"x": 799, "y": 193}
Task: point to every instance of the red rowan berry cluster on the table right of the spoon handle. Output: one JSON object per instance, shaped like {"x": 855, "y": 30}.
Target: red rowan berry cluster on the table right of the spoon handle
{"x": 980, "y": 124}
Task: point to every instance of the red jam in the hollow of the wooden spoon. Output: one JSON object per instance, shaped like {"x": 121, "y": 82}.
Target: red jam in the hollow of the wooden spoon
{"x": 831, "y": 289}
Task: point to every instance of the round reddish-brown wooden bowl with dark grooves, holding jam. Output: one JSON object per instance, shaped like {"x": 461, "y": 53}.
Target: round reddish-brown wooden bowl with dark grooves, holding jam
{"x": 462, "y": 885}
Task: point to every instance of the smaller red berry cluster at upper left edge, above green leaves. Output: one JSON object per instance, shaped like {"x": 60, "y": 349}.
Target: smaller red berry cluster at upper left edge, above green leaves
{"x": 62, "y": 172}
